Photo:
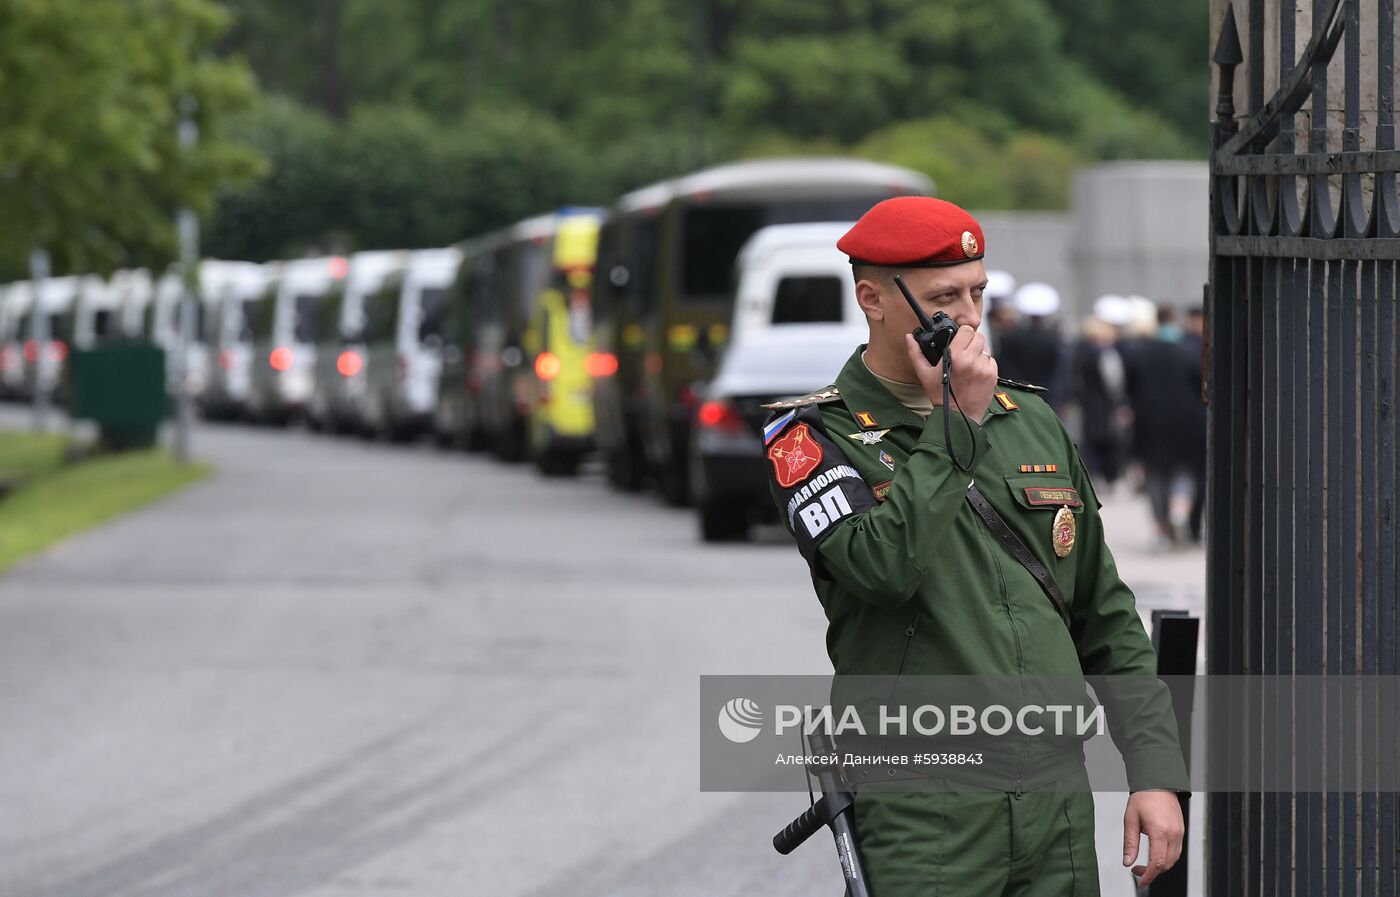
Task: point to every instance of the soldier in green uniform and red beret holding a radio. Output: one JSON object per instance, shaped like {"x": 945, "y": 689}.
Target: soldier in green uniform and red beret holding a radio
{"x": 915, "y": 581}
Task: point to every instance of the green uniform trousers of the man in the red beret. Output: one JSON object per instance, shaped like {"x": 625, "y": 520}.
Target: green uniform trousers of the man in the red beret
{"x": 979, "y": 845}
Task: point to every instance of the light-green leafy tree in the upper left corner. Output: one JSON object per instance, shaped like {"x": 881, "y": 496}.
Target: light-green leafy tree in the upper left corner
{"x": 89, "y": 94}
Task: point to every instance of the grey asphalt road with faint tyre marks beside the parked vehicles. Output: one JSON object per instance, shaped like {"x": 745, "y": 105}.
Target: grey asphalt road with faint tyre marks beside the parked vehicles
{"x": 345, "y": 670}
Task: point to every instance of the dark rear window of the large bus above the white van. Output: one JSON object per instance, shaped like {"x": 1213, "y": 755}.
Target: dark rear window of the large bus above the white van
{"x": 712, "y": 237}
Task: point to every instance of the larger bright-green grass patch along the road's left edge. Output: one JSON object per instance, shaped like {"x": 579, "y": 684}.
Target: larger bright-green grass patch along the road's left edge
{"x": 68, "y": 500}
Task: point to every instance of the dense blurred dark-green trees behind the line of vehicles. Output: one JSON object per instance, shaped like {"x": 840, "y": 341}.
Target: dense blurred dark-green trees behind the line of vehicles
{"x": 443, "y": 120}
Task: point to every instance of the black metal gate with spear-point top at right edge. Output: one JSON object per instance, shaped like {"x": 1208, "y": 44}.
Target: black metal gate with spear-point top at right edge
{"x": 1303, "y": 565}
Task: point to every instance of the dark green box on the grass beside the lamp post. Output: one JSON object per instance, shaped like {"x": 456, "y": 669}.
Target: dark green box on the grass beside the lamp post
{"x": 122, "y": 390}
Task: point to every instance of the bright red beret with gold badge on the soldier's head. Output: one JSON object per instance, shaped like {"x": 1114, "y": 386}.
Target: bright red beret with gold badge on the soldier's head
{"x": 915, "y": 232}
